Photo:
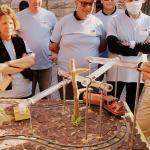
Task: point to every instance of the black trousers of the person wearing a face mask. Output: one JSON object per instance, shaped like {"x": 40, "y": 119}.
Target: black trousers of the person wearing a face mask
{"x": 130, "y": 92}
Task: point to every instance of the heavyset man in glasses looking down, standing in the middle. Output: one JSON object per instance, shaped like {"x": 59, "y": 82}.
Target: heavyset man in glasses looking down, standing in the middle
{"x": 77, "y": 35}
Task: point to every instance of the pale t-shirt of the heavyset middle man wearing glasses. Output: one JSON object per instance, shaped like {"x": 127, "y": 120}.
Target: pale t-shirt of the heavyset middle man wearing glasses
{"x": 77, "y": 39}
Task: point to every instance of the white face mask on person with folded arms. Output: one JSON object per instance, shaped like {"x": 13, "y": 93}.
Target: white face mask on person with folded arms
{"x": 134, "y": 7}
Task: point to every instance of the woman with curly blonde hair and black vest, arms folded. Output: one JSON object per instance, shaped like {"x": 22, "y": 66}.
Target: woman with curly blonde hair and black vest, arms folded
{"x": 15, "y": 77}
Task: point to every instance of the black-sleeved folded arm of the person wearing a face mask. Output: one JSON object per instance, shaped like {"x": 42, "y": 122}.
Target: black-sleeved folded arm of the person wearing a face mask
{"x": 125, "y": 48}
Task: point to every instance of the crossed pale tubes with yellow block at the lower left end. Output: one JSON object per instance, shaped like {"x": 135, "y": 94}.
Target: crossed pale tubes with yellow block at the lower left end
{"x": 22, "y": 112}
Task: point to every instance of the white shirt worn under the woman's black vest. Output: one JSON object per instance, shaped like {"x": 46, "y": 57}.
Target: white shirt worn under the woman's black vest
{"x": 21, "y": 87}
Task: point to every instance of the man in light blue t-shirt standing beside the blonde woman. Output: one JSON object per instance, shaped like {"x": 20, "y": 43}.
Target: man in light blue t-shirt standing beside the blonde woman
{"x": 36, "y": 26}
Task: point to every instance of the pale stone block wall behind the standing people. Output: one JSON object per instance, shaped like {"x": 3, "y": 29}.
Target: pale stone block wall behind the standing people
{"x": 59, "y": 7}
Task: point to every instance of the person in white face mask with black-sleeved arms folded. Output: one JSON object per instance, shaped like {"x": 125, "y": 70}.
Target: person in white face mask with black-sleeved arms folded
{"x": 128, "y": 37}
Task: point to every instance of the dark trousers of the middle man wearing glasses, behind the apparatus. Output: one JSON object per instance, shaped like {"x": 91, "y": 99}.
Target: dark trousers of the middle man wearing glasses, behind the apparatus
{"x": 69, "y": 89}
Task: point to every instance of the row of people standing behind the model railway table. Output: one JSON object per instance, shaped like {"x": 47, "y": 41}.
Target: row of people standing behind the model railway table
{"x": 33, "y": 38}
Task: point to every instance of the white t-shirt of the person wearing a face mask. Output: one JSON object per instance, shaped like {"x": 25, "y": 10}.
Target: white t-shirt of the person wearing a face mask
{"x": 128, "y": 29}
